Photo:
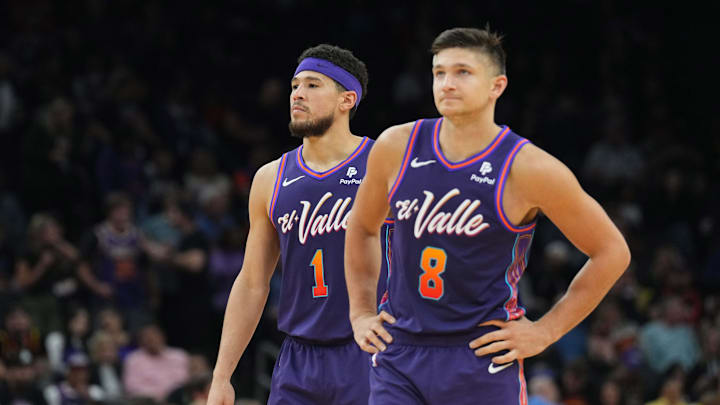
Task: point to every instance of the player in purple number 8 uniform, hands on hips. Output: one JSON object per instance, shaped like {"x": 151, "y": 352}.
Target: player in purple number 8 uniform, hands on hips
{"x": 466, "y": 194}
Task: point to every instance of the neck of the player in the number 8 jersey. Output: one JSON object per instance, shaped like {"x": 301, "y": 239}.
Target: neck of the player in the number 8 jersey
{"x": 465, "y": 135}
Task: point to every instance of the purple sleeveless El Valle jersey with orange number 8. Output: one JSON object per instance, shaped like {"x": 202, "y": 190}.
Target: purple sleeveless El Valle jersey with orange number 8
{"x": 456, "y": 258}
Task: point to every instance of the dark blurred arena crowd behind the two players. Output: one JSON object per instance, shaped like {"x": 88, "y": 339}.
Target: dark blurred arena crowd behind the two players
{"x": 130, "y": 132}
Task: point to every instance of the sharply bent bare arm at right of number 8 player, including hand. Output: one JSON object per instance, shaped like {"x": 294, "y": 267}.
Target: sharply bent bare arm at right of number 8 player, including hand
{"x": 539, "y": 181}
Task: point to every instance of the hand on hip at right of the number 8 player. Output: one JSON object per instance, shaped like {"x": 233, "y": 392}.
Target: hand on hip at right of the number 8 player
{"x": 522, "y": 338}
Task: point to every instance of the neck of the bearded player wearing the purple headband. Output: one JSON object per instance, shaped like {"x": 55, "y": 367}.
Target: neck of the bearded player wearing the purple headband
{"x": 324, "y": 152}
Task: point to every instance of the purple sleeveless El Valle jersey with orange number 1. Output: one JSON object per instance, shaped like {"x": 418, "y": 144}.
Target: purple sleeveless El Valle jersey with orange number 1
{"x": 309, "y": 210}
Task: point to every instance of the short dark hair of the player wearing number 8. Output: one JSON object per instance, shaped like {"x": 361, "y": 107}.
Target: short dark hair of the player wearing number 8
{"x": 483, "y": 40}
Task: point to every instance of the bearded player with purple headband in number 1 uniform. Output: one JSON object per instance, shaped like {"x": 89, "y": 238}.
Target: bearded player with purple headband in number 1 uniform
{"x": 299, "y": 205}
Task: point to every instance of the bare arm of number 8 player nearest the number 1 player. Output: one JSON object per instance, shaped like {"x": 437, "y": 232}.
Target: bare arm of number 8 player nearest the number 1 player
{"x": 362, "y": 238}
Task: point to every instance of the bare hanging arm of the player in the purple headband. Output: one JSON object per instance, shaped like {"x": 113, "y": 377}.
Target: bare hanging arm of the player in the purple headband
{"x": 251, "y": 288}
